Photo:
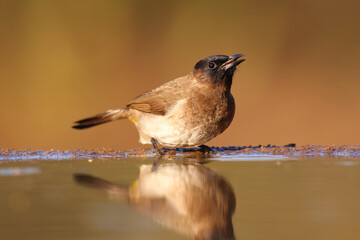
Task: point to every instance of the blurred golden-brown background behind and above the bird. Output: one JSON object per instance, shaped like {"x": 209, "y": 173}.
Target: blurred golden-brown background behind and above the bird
{"x": 61, "y": 61}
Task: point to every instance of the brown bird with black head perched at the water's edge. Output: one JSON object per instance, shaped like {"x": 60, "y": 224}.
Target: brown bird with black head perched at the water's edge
{"x": 185, "y": 112}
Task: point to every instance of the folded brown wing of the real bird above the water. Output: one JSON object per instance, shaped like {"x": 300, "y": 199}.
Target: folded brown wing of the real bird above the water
{"x": 160, "y": 99}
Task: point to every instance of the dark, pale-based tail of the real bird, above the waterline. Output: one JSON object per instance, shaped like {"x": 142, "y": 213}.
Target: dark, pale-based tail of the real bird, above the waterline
{"x": 101, "y": 118}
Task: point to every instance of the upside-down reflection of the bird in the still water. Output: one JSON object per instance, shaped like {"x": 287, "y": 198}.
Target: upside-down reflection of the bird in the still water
{"x": 190, "y": 199}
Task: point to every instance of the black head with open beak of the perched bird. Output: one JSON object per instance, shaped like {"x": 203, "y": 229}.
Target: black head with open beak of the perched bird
{"x": 217, "y": 69}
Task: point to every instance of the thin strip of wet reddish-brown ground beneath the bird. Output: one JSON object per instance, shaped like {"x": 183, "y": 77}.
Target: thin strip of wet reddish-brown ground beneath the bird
{"x": 290, "y": 150}
